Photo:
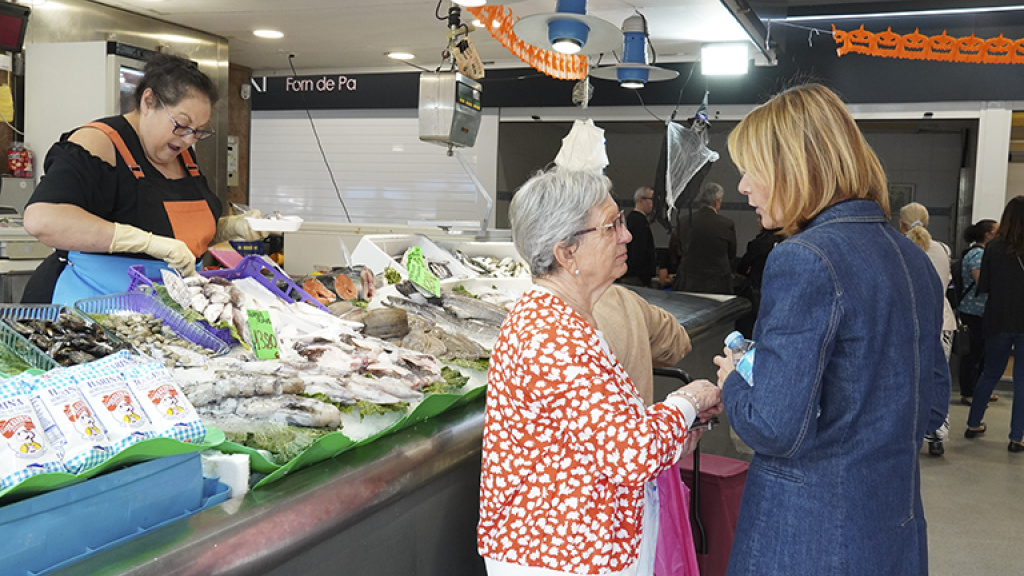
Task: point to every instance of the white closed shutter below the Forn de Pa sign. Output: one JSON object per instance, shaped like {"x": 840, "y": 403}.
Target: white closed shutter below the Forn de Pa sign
{"x": 383, "y": 173}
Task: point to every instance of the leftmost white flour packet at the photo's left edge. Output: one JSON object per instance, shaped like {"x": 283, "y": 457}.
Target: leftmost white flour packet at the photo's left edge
{"x": 25, "y": 450}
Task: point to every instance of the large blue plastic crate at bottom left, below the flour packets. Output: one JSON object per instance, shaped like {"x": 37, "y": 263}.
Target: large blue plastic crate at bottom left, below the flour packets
{"x": 59, "y": 528}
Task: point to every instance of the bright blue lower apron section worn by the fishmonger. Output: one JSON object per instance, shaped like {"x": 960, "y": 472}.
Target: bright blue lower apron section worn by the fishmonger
{"x": 99, "y": 275}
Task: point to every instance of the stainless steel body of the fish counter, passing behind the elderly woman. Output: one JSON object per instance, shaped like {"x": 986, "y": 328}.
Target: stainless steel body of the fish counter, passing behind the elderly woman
{"x": 405, "y": 504}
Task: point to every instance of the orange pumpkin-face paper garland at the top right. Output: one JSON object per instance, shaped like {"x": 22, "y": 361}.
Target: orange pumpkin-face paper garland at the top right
{"x": 918, "y": 47}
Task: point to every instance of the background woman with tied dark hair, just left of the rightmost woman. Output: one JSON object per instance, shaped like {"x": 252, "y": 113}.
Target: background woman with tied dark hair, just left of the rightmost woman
{"x": 972, "y": 307}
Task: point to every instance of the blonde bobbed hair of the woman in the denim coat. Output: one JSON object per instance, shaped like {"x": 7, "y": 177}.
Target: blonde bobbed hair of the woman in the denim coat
{"x": 806, "y": 149}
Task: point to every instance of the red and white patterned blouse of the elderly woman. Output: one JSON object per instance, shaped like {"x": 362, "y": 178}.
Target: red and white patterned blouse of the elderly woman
{"x": 568, "y": 446}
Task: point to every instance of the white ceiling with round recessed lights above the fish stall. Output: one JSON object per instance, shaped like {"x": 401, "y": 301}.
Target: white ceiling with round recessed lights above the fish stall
{"x": 350, "y": 35}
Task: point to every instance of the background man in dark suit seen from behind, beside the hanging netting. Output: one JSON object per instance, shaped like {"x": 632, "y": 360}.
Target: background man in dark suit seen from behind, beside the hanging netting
{"x": 708, "y": 245}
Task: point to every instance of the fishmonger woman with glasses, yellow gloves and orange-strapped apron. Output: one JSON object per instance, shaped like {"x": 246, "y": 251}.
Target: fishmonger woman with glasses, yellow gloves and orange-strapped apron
{"x": 126, "y": 191}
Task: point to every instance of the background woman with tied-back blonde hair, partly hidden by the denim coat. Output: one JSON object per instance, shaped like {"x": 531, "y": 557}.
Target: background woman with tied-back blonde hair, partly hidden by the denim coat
{"x": 914, "y": 224}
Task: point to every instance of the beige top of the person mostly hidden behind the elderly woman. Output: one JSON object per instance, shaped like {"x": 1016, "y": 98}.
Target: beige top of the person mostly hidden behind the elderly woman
{"x": 641, "y": 336}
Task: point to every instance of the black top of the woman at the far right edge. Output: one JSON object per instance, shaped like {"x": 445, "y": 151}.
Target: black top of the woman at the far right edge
{"x": 1002, "y": 276}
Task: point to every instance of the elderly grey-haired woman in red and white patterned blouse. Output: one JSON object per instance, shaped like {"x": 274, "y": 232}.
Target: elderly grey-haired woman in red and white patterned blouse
{"x": 569, "y": 445}
